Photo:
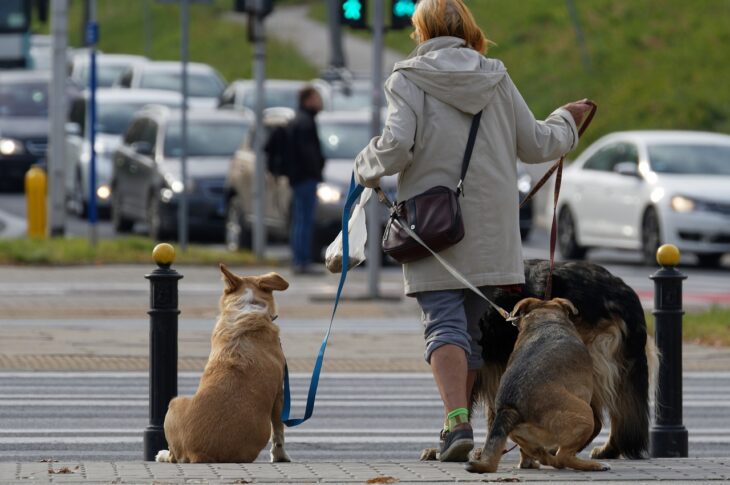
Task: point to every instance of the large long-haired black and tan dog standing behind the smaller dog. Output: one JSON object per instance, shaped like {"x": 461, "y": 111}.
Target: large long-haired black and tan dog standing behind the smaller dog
{"x": 611, "y": 323}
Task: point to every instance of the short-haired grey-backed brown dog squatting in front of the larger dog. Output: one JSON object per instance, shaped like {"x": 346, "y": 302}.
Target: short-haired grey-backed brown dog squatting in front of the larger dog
{"x": 544, "y": 396}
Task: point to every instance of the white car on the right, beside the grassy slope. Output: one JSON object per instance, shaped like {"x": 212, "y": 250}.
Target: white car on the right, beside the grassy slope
{"x": 640, "y": 189}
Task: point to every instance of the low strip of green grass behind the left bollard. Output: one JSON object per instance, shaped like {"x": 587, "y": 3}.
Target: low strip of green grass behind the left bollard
{"x": 128, "y": 250}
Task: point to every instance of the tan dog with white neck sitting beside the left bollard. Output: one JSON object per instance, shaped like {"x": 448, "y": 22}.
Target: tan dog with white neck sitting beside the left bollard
{"x": 237, "y": 406}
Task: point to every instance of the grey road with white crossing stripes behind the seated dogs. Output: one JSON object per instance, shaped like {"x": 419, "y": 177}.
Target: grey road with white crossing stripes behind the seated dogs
{"x": 363, "y": 417}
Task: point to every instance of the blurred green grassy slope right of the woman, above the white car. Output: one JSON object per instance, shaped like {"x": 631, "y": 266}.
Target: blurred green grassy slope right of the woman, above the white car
{"x": 655, "y": 63}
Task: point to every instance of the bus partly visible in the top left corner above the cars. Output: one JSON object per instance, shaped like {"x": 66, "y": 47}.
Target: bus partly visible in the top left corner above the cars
{"x": 15, "y": 19}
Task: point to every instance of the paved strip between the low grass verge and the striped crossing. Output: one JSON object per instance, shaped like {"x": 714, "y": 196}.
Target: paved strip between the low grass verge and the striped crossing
{"x": 95, "y": 318}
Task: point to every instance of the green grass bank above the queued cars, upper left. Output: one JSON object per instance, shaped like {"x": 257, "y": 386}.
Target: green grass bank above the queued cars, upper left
{"x": 213, "y": 39}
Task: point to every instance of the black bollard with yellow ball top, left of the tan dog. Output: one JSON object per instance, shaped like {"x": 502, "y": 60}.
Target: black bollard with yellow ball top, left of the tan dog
{"x": 163, "y": 346}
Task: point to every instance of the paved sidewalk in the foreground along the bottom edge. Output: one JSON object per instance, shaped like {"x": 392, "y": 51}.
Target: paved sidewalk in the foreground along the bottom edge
{"x": 680, "y": 470}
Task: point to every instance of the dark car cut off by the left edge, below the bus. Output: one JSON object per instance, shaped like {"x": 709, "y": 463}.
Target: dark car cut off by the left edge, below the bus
{"x": 23, "y": 124}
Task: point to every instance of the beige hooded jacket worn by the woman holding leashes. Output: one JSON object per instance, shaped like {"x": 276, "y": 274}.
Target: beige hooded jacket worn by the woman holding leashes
{"x": 432, "y": 97}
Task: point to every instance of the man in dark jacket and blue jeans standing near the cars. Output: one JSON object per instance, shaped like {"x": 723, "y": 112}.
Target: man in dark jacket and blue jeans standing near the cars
{"x": 304, "y": 175}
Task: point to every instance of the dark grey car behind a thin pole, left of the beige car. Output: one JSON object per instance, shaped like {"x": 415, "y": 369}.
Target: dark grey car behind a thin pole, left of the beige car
{"x": 146, "y": 173}
